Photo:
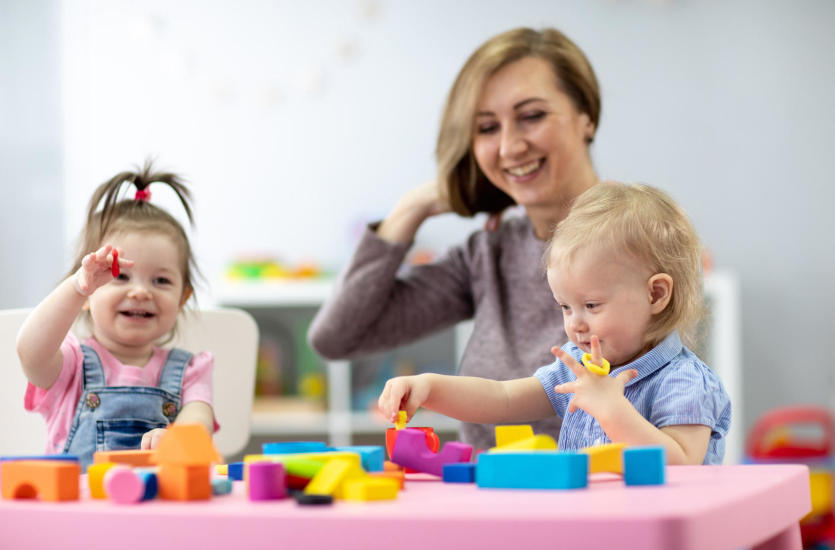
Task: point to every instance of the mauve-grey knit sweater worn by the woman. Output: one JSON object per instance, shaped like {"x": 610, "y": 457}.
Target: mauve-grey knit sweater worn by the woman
{"x": 495, "y": 278}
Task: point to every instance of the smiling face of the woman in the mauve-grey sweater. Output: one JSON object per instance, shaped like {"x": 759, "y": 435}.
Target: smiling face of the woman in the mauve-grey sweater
{"x": 528, "y": 138}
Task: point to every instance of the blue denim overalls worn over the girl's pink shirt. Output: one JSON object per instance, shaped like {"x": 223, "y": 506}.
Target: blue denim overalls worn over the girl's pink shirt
{"x": 110, "y": 418}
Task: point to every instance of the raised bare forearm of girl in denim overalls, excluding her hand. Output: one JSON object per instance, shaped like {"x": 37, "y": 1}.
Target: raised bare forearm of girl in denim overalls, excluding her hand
{"x": 40, "y": 336}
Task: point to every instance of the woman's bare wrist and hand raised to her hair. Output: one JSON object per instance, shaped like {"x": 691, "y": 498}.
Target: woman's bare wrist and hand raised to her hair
{"x": 412, "y": 210}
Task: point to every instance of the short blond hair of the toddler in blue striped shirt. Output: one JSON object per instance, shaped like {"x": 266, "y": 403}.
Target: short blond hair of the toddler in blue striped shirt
{"x": 646, "y": 224}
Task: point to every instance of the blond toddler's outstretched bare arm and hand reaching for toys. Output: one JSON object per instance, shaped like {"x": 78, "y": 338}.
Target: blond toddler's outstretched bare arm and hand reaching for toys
{"x": 467, "y": 398}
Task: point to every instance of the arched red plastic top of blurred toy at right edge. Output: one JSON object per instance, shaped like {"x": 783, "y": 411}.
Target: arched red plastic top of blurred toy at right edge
{"x": 757, "y": 445}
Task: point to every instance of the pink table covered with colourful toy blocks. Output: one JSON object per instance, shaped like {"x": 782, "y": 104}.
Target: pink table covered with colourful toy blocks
{"x": 700, "y": 507}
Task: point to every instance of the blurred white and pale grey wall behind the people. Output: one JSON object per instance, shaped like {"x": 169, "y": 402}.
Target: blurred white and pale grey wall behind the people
{"x": 297, "y": 122}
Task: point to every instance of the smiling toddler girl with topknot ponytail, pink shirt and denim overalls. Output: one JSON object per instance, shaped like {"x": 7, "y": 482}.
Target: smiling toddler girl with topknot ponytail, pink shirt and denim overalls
{"x": 133, "y": 274}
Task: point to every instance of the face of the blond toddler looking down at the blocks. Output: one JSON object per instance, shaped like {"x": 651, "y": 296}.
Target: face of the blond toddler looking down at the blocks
{"x": 605, "y": 295}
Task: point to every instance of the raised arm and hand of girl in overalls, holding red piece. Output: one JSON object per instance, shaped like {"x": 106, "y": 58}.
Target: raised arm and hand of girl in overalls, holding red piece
{"x": 40, "y": 336}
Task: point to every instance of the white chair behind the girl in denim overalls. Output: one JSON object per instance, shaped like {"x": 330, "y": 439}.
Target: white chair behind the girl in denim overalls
{"x": 230, "y": 334}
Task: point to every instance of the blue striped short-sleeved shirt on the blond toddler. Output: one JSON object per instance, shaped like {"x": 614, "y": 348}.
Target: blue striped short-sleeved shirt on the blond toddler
{"x": 673, "y": 387}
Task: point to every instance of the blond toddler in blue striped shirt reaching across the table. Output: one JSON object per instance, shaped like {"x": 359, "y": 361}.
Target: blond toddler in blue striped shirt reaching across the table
{"x": 624, "y": 267}
